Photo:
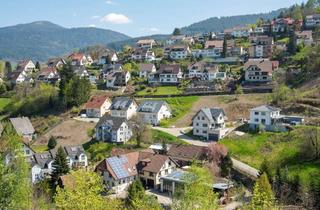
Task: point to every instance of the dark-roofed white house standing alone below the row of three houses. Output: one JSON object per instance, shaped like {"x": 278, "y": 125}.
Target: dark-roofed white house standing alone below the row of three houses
{"x": 113, "y": 129}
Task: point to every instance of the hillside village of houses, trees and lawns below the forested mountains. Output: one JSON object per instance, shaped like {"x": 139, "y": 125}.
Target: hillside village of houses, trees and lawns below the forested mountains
{"x": 237, "y": 109}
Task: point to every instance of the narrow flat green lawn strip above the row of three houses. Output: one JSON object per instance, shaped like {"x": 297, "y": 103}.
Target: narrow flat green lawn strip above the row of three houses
{"x": 165, "y": 90}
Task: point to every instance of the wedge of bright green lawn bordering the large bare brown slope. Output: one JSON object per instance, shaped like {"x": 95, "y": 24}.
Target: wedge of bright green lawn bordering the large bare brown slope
{"x": 179, "y": 106}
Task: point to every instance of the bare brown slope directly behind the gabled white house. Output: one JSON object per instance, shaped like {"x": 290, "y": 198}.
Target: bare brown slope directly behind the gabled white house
{"x": 235, "y": 109}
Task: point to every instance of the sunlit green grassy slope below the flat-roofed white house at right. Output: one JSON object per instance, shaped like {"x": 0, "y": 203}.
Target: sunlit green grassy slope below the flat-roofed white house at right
{"x": 280, "y": 149}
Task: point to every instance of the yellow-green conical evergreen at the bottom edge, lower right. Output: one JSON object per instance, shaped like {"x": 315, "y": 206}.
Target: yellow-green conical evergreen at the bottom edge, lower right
{"x": 263, "y": 197}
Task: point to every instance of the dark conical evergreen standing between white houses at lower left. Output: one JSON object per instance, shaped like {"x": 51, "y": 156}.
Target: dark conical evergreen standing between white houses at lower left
{"x": 60, "y": 166}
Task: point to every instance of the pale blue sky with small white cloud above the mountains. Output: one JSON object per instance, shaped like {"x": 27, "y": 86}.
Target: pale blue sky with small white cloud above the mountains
{"x": 131, "y": 17}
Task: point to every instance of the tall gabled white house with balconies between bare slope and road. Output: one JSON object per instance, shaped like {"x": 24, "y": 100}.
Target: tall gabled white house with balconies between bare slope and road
{"x": 209, "y": 123}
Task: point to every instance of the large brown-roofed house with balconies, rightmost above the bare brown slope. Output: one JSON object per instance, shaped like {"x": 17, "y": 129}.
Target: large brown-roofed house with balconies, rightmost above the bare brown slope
{"x": 260, "y": 70}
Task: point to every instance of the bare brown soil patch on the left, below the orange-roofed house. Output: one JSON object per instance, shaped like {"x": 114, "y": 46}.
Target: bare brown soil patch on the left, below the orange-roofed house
{"x": 68, "y": 133}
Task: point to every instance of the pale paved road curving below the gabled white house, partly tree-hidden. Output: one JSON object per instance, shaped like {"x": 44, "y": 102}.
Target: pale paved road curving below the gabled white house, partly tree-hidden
{"x": 237, "y": 165}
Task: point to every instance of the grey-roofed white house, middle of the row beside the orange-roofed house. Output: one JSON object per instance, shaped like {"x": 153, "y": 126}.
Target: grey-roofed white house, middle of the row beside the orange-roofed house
{"x": 123, "y": 108}
